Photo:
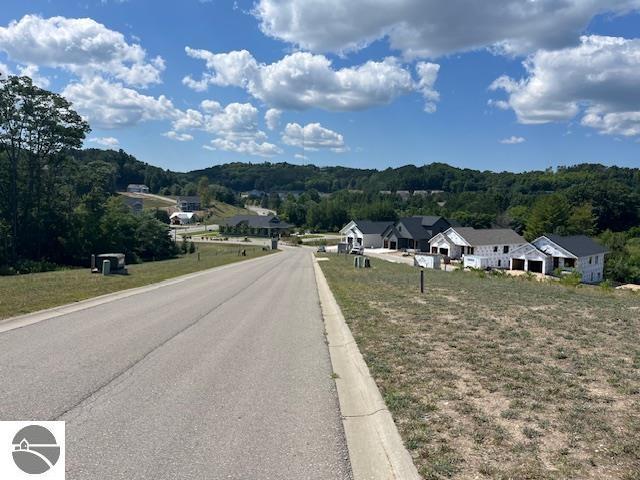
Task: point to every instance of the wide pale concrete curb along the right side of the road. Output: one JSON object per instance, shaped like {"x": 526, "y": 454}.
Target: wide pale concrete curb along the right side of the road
{"x": 375, "y": 447}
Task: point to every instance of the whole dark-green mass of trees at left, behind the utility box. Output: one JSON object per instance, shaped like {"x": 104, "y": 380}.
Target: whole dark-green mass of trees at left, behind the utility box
{"x": 58, "y": 206}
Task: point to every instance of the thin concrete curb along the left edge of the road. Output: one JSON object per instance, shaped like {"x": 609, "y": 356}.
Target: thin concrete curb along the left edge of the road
{"x": 12, "y": 323}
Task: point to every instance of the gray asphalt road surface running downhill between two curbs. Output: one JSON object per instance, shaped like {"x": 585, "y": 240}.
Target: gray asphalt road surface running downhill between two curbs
{"x": 225, "y": 376}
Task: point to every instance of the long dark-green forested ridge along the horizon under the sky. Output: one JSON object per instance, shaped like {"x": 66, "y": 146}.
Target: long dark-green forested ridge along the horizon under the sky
{"x": 270, "y": 177}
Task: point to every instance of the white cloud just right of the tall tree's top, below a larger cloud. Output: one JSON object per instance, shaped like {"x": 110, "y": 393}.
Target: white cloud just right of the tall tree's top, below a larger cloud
{"x": 112, "y": 105}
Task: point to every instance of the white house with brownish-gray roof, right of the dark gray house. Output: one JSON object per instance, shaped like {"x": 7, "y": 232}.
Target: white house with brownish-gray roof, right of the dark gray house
{"x": 480, "y": 248}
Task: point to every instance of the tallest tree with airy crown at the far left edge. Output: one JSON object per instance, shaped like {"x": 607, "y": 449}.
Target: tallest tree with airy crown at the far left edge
{"x": 35, "y": 126}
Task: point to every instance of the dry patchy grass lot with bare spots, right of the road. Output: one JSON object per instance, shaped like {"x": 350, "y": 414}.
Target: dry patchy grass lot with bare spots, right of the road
{"x": 500, "y": 377}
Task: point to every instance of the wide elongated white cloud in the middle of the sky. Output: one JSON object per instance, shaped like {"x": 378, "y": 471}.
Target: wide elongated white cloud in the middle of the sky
{"x": 301, "y": 80}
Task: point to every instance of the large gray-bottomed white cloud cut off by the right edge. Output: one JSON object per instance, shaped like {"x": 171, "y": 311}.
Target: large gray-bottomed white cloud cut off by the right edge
{"x": 599, "y": 77}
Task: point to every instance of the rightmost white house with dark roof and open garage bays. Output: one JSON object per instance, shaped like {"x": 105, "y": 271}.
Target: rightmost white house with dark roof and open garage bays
{"x": 550, "y": 252}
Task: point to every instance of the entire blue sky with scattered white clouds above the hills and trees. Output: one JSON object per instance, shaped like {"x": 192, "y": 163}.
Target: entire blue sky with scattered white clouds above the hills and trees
{"x": 520, "y": 85}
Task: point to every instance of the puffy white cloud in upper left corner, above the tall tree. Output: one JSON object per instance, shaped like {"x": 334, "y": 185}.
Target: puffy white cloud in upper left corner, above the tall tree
{"x": 79, "y": 45}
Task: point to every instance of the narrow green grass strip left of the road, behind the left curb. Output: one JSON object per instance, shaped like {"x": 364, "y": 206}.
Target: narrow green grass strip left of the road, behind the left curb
{"x": 28, "y": 293}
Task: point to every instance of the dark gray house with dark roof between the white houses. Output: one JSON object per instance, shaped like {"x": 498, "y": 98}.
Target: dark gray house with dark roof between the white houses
{"x": 414, "y": 233}
